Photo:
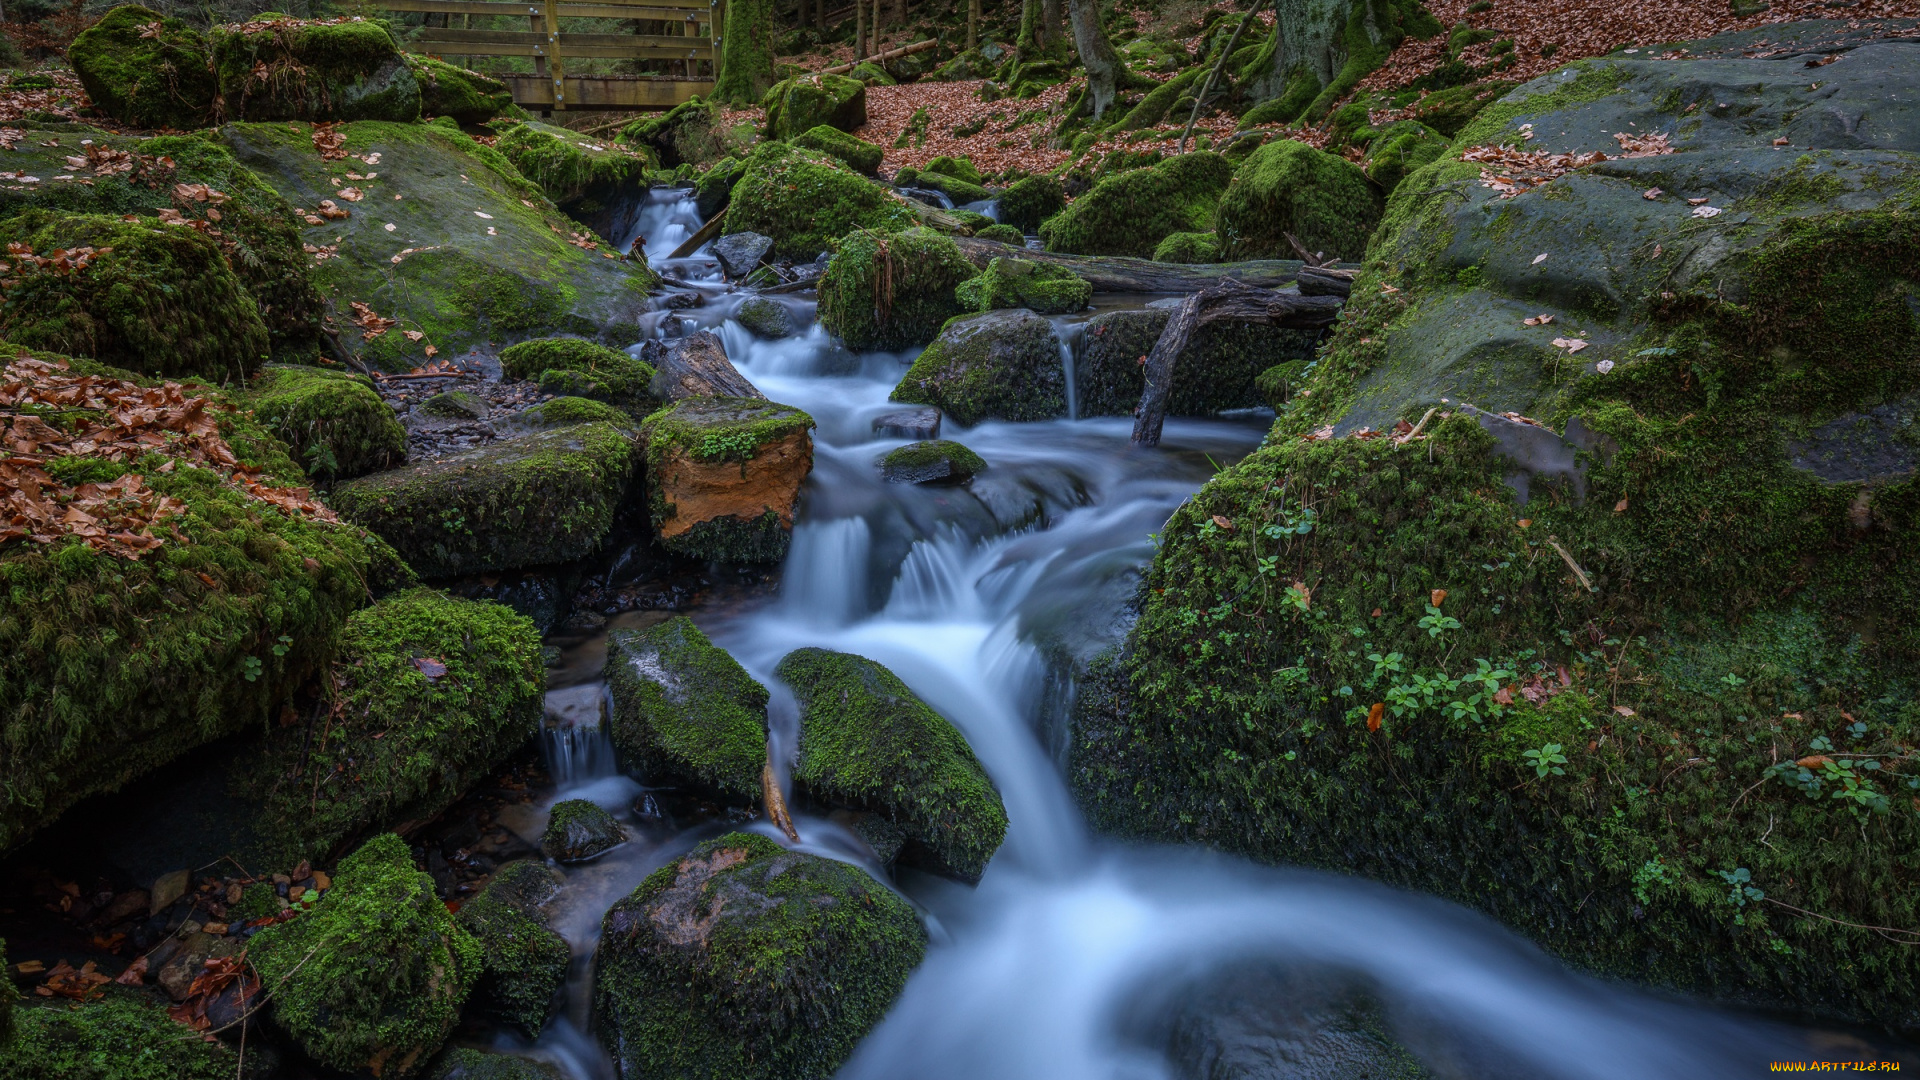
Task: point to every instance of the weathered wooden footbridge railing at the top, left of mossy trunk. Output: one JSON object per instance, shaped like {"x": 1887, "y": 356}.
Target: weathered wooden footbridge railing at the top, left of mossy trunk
{"x": 690, "y": 39}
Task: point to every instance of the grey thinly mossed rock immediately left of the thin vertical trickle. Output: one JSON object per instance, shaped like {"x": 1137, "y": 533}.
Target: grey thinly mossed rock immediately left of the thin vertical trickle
{"x": 994, "y": 366}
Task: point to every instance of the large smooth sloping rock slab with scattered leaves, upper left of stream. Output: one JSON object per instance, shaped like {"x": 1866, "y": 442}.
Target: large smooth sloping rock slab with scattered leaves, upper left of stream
{"x": 483, "y": 257}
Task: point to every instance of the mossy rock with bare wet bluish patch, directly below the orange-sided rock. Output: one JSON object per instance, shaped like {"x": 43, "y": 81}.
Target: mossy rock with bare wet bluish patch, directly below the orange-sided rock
{"x": 683, "y": 708}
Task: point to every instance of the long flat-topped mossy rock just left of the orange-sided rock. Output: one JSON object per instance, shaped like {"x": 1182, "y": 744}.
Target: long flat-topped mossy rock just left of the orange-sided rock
{"x": 539, "y": 499}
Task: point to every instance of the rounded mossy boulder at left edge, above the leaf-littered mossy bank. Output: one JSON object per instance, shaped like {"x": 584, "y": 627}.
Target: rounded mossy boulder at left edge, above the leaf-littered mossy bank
{"x": 151, "y": 299}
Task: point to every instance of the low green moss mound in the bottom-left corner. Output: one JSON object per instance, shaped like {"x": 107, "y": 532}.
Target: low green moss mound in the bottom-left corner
{"x": 122, "y": 1037}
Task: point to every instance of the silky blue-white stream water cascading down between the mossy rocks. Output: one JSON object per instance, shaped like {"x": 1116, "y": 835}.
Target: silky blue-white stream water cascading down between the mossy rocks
{"x": 1047, "y": 970}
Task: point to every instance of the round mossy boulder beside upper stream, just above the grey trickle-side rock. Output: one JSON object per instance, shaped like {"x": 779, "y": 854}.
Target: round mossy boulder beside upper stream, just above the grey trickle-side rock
{"x": 892, "y": 291}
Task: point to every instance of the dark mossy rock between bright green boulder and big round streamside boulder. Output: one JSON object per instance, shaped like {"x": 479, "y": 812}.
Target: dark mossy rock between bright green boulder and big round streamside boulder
{"x": 523, "y": 960}
